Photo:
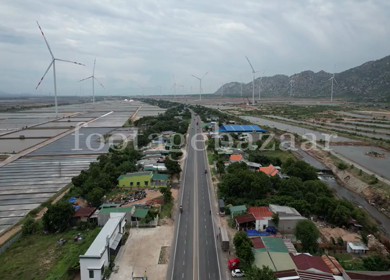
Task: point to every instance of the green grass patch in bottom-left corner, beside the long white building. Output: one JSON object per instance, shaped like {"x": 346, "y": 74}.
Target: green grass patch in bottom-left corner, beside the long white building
{"x": 40, "y": 257}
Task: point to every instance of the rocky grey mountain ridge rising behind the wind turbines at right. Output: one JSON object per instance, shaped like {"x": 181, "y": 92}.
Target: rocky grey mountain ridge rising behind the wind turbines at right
{"x": 367, "y": 82}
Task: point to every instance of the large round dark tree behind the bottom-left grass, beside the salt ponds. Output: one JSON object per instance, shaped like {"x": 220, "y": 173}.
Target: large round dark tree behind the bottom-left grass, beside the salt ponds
{"x": 58, "y": 216}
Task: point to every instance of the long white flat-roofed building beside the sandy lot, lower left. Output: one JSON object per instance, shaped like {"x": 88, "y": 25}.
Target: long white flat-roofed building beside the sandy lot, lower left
{"x": 108, "y": 241}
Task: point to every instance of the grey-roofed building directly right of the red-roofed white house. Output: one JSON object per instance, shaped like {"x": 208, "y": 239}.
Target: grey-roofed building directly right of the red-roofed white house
{"x": 288, "y": 217}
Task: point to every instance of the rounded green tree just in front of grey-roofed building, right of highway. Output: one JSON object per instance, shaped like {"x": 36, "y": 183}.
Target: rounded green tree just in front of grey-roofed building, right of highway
{"x": 307, "y": 232}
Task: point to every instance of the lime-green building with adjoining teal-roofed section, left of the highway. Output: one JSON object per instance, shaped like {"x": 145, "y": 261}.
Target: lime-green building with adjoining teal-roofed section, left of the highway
{"x": 144, "y": 179}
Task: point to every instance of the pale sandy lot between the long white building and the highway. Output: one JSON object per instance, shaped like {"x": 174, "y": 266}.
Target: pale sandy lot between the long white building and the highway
{"x": 141, "y": 253}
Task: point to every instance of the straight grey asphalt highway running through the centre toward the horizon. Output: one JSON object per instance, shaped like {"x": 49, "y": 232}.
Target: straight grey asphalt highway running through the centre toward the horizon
{"x": 194, "y": 255}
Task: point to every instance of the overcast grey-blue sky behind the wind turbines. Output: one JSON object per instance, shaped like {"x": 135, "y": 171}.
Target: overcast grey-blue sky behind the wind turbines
{"x": 142, "y": 44}
